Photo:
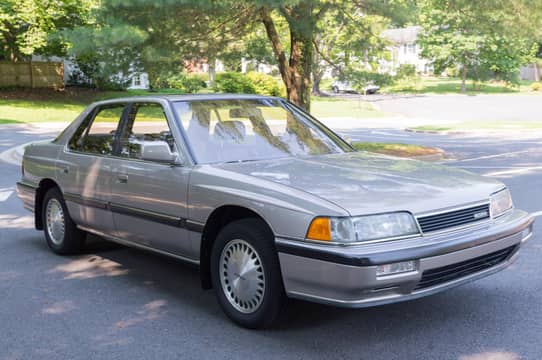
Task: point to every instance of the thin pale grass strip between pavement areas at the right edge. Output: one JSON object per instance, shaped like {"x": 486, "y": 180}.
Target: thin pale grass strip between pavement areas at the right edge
{"x": 482, "y": 126}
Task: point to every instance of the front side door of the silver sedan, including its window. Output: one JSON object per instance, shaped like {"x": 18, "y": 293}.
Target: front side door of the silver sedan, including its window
{"x": 149, "y": 198}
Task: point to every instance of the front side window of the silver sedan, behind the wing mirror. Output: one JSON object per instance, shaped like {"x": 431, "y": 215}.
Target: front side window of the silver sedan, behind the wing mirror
{"x": 146, "y": 125}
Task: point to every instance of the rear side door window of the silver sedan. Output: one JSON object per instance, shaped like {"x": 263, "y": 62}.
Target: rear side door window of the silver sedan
{"x": 97, "y": 133}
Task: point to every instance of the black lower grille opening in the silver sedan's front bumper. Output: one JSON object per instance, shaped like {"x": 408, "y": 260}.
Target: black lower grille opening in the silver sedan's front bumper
{"x": 455, "y": 271}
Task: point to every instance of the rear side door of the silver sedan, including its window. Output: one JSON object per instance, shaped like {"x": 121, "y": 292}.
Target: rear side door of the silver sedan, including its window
{"x": 84, "y": 168}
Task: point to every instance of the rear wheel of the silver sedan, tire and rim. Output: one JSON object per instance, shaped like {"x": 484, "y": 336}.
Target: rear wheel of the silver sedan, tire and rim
{"x": 61, "y": 233}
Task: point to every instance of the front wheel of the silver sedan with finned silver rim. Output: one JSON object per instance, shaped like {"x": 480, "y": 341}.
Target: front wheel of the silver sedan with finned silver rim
{"x": 255, "y": 298}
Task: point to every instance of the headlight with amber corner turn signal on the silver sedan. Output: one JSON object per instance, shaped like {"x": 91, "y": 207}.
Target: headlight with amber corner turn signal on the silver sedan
{"x": 362, "y": 228}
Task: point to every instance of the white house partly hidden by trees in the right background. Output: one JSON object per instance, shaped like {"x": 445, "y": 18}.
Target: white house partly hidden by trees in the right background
{"x": 404, "y": 50}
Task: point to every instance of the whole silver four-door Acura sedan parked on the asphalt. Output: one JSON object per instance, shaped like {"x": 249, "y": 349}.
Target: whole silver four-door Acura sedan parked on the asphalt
{"x": 268, "y": 202}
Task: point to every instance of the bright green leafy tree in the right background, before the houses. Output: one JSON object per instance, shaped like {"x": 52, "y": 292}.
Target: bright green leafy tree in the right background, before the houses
{"x": 481, "y": 37}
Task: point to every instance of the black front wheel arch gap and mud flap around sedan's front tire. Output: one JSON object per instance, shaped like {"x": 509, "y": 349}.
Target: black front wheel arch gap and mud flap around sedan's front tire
{"x": 219, "y": 218}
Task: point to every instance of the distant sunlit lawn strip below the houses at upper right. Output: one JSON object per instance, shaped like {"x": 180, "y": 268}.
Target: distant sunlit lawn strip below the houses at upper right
{"x": 438, "y": 85}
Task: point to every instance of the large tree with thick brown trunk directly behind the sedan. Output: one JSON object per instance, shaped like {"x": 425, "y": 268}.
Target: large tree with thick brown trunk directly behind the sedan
{"x": 209, "y": 29}
